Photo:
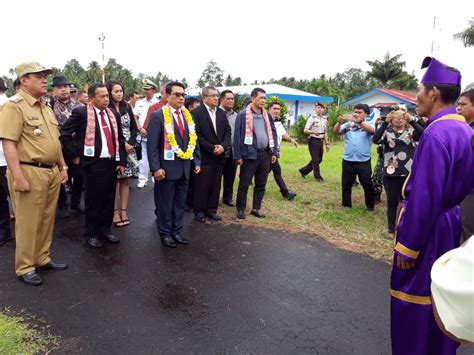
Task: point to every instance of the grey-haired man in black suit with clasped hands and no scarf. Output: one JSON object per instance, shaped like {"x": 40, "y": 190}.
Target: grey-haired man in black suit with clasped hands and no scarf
{"x": 213, "y": 132}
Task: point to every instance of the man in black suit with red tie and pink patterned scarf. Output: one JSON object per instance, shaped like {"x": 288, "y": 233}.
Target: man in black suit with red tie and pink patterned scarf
{"x": 93, "y": 138}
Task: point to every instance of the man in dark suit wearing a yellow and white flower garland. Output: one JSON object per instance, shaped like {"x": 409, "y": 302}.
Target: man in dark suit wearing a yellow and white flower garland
{"x": 171, "y": 164}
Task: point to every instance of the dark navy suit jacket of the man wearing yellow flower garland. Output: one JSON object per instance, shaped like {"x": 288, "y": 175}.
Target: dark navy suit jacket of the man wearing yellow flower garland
{"x": 155, "y": 148}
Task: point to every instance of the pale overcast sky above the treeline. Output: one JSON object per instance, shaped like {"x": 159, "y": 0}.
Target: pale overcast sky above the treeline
{"x": 256, "y": 40}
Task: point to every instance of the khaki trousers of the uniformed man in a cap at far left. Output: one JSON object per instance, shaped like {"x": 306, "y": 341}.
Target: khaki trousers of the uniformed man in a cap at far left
{"x": 35, "y": 212}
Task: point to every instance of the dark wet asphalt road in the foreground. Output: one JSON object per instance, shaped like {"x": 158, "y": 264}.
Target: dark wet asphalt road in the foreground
{"x": 232, "y": 290}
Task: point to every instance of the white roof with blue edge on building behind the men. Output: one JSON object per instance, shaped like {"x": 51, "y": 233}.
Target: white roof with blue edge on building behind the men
{"x": 283, "y": 92}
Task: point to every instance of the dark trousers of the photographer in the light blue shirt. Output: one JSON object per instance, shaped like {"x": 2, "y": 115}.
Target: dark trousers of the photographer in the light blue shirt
{"x": 351, "y": 170}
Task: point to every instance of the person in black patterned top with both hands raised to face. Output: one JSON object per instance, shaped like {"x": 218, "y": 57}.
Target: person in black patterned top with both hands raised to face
{"x": 397, "y": 134}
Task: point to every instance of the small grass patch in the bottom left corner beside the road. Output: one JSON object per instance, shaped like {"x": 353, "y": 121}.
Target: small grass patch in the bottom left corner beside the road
{"x": 18, "y": 337}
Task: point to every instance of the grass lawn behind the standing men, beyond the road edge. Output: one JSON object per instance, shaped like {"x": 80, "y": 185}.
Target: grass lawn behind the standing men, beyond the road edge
{"x": 317, "y": 209}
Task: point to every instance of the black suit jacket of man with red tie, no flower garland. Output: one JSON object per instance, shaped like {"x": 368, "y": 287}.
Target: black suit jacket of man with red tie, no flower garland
{"x": 73, "y": 133}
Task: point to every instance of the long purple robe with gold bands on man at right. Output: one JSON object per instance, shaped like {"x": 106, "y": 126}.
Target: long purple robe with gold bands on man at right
{"x": 429, "y": 225}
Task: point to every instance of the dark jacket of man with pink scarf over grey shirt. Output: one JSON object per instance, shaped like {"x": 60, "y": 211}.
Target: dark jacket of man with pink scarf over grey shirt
{"x": 245, "y": 151}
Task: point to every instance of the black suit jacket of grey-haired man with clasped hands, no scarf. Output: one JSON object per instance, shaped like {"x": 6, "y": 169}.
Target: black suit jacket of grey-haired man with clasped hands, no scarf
{"x": 208, "y": 137}
